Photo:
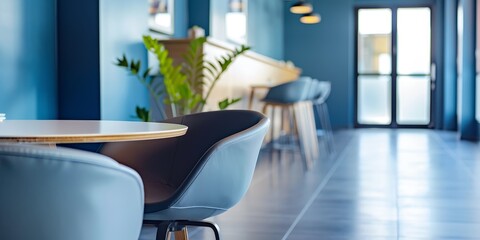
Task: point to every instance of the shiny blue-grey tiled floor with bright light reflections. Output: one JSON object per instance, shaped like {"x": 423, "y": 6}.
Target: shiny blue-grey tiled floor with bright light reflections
{"x": 380, "y": 184}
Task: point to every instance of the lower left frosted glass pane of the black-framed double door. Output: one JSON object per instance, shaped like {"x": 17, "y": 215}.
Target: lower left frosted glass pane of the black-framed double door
{"x": 374, "y": 100}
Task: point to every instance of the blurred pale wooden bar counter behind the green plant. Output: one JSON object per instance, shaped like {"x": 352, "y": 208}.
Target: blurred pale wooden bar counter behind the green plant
{"x": 248, "y": 69}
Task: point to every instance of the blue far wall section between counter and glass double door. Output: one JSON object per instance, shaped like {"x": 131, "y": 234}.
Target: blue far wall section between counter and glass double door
{"x": 325, "y": 51}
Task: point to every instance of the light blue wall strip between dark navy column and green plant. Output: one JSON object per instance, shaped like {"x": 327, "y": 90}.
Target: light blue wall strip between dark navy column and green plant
{"x": 122, "y": 24}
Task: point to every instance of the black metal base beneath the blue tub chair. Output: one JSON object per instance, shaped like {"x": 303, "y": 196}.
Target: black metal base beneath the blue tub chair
{"x": 178, "y": 227}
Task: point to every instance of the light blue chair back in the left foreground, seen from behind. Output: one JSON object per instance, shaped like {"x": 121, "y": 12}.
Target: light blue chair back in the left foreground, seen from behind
{"x": 58, "y": 194}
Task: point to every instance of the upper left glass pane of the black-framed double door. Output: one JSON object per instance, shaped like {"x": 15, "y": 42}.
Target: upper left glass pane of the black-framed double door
{"x": 374, "y": 41}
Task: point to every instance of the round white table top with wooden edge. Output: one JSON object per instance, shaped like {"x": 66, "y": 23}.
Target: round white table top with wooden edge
{"x": 83, "y": 131}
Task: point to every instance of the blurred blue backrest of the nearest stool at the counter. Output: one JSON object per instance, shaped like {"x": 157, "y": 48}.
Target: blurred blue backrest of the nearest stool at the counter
{"x": 289, "y": 92}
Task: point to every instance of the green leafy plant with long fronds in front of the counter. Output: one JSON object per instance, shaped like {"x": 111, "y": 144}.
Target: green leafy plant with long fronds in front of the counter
{"x": 186, "y": 86}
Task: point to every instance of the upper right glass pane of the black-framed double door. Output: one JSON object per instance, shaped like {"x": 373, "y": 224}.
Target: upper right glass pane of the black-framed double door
{"x": 413, "y": 40}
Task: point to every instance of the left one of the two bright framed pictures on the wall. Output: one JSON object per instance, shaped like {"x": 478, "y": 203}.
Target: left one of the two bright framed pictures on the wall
{"x": 161, "y": 16}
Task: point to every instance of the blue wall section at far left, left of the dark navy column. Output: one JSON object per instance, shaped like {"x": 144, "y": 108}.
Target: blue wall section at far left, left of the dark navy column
{"x": 27, "y": 59}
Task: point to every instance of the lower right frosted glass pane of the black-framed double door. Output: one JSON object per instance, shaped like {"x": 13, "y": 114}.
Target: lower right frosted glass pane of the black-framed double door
{"x": 413, "y": 100}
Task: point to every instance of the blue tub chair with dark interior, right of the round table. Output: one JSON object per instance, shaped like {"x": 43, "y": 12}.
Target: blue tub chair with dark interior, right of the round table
{"x": 198, "y": 175}
